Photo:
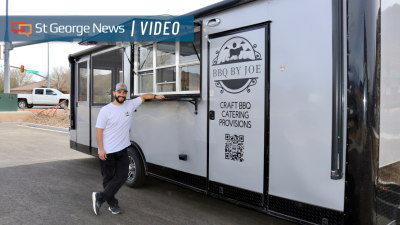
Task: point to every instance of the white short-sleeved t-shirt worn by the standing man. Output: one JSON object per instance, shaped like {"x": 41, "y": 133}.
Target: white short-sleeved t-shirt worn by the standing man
{"x": 116, "y": 121}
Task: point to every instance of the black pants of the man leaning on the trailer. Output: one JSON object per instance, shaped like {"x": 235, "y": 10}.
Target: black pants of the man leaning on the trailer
{"x": 115, "y": 172}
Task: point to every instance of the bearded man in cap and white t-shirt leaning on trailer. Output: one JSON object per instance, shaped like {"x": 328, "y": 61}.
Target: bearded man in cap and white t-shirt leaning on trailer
{"x": 112, "y": 133}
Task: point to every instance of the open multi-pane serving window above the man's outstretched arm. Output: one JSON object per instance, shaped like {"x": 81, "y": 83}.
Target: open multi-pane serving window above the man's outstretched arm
{"x": 169, "y": 67}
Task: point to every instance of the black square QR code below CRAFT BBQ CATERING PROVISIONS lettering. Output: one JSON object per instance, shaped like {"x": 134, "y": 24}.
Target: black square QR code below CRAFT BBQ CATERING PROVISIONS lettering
{"x": 234, "y": 147}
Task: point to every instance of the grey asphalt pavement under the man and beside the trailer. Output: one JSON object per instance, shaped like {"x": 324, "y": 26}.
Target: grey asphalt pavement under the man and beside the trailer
{"x": 43, "y": 181}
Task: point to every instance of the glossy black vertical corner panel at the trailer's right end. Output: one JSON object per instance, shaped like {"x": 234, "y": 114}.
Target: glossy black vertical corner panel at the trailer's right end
{"x": 363, "y": 72}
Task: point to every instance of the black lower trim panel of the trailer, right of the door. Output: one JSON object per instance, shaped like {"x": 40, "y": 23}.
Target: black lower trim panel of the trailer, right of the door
{"x": 305, "y": 212}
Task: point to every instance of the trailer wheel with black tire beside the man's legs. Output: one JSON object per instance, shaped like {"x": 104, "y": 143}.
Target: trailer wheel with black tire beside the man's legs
{"x": 137, "y": 173}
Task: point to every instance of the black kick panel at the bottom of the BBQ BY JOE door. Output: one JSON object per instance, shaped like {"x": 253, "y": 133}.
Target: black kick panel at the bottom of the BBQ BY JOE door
{"x": 236, "y": 193}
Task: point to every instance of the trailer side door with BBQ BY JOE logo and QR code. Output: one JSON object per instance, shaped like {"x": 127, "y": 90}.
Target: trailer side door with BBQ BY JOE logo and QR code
{"x": 237, "y": 113}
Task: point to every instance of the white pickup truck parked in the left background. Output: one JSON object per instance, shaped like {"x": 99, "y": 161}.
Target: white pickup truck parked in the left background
{"x": 42, "y": 96}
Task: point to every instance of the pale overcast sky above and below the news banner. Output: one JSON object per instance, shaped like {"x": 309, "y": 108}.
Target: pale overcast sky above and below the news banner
{"x": 34, "y": 57}
